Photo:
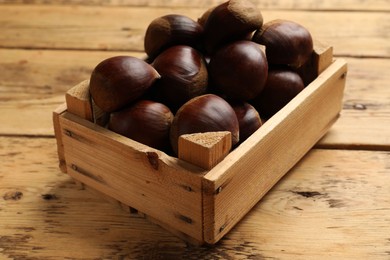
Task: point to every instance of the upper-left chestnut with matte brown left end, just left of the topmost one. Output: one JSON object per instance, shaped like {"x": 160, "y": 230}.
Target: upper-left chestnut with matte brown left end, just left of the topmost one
{"x": 173, "y": 29}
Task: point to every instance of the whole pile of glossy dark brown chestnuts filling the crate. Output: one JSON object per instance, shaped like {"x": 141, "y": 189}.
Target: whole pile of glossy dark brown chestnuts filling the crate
{"x": 212, "y": 74}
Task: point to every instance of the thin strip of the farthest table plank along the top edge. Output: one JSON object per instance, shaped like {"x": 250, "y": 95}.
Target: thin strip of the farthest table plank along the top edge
{"x": 373, "y": 5}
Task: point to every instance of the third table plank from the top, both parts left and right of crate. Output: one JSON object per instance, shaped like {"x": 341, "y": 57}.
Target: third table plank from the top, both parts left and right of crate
{"x": 34, "y": 83}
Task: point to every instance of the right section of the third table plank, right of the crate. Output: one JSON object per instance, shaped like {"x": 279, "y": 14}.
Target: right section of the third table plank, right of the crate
{"x": 365, "y": 120}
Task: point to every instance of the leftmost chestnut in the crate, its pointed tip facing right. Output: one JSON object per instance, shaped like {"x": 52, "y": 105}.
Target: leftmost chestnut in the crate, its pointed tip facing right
{"x": 118, "y": 81}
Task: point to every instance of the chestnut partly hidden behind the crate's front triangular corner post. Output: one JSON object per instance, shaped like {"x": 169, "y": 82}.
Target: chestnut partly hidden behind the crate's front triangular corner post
{"x": 205, "y": 113}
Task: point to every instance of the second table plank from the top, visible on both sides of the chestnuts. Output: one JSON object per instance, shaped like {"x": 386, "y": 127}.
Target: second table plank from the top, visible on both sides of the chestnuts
{"x": 123, "y": 28}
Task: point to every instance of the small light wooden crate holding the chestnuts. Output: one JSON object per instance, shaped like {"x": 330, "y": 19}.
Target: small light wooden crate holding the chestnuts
{"x": 198, "y": 205}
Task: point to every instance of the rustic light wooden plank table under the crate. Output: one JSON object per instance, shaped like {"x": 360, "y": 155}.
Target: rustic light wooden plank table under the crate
{"x": 335, "y": 204}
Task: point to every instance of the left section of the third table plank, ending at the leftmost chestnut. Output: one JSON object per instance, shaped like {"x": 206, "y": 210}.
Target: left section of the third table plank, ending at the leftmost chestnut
{"x": 33, "y": 83}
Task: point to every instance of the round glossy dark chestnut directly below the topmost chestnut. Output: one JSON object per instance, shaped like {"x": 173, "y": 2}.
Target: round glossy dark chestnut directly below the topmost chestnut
{"x": 239, "y": 70}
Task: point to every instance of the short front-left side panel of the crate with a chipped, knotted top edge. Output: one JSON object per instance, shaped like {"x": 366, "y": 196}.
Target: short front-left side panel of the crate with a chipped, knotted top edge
{"x": 138, "y": 178}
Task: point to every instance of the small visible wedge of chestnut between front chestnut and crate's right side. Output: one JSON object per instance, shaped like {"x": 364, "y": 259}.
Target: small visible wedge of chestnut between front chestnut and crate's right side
{"x": 248, "y": 118}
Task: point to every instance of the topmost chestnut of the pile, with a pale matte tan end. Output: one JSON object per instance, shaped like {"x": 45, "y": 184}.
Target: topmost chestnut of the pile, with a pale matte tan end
{"x": 230, "y": 21}
